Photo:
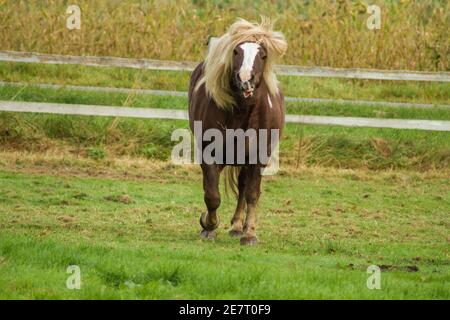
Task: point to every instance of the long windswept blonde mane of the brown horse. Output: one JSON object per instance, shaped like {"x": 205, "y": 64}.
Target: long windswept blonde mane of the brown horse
{"x": 218, "y": 62}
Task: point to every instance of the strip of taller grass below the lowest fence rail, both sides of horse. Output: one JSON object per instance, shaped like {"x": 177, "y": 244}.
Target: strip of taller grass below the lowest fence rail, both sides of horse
{"x": 328, "y": 146}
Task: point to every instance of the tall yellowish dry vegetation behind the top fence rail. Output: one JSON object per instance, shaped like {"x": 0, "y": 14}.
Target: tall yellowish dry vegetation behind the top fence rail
{"x": 414, "y": 34}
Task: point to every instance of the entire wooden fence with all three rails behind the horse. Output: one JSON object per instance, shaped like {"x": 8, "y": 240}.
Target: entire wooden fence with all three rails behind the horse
{"x": 115, "y": 111}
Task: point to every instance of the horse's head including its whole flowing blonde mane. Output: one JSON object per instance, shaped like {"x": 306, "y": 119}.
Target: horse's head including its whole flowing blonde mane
{"x": 240, "y": 61}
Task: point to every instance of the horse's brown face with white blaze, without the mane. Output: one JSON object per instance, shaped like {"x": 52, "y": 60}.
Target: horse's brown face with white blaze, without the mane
{"x": 248, "y": 67}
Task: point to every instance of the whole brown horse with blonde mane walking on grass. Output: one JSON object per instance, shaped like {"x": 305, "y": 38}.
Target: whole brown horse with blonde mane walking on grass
{"x": 235, "y": 87}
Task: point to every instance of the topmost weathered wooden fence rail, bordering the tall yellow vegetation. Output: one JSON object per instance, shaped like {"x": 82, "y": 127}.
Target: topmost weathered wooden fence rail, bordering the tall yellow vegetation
{"x": 289, "y": 70}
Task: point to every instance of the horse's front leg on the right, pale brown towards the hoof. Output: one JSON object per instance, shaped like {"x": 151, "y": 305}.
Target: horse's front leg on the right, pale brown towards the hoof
{"x": 252, "y": 193}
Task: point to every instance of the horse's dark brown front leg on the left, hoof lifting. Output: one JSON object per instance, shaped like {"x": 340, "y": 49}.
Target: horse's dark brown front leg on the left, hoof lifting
{"x": 210, "y": 220}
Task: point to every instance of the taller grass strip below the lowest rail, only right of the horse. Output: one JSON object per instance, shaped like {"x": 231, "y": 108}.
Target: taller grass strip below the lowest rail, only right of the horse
{"x": 366, "y": 148}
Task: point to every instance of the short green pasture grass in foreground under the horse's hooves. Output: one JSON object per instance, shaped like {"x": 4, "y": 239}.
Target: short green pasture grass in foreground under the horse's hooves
{"x": 315, "y": 242}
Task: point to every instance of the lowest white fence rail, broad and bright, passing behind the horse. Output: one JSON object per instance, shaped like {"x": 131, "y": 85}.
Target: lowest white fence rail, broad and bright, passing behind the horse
{"x": 154, "y": 113}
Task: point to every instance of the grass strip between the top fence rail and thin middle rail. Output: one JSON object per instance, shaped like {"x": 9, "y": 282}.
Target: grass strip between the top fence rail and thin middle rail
{"x": 414, "y": 92}
